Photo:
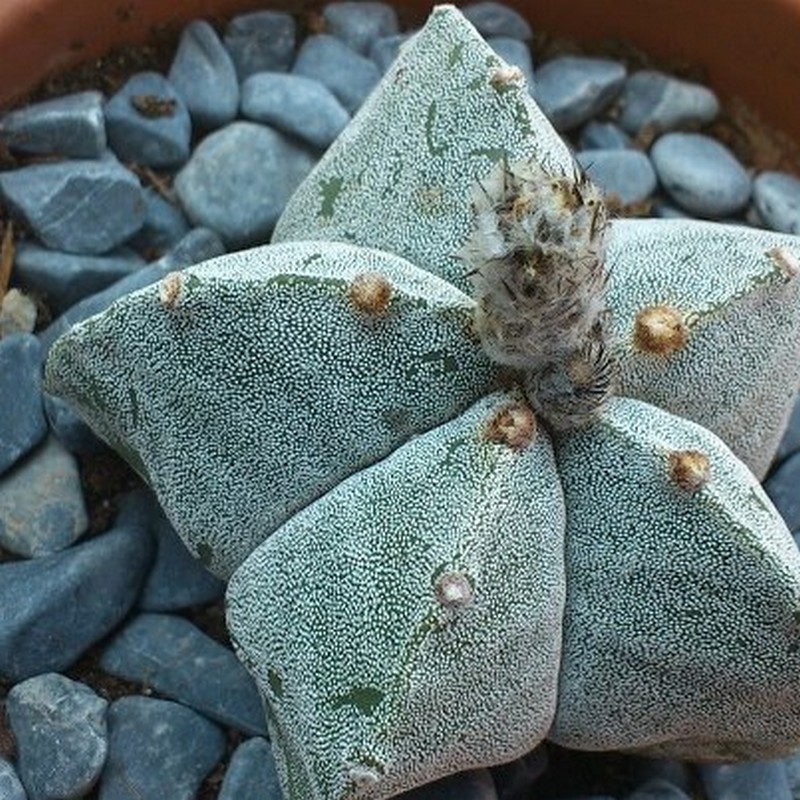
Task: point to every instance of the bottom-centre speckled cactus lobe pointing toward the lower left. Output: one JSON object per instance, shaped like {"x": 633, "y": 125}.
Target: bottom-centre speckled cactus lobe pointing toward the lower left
{"x": 407, "y": 624}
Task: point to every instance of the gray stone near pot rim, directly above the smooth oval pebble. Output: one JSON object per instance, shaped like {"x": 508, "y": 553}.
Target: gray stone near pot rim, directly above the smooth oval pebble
{"x": 654, "y": 99}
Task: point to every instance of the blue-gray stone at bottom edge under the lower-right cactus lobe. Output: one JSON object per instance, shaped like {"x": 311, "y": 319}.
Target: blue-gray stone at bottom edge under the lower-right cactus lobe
{"x": 758, "y": 780}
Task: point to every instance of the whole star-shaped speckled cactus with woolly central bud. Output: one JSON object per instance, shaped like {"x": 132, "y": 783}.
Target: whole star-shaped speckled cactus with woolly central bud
{"x": 457, "y": 525}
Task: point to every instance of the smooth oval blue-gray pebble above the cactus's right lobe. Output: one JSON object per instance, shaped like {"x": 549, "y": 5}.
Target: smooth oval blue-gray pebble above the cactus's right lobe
{"x": 701, "y": 175}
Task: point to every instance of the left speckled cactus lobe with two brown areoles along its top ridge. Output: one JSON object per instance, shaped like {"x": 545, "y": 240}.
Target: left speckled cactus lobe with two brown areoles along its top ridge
{"x": 243, "y": 388}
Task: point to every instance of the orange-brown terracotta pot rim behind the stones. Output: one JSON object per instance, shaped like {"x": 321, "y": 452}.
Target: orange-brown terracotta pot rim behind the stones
{"x": 749, "y": 47}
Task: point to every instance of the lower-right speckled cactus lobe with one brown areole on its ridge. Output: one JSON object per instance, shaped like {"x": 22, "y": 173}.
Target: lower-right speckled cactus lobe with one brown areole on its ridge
{"x": 682, "y": 624}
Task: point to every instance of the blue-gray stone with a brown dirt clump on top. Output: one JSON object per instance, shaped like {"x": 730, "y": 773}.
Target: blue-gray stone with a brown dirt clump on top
{"x": 148, "y": 123}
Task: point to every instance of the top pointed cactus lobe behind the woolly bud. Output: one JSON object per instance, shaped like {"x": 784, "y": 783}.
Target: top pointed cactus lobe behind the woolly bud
{"x": 400, "y": 177}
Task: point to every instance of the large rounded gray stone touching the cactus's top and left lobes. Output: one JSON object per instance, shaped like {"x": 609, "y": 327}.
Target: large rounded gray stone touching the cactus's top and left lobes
{"x": 239, "y": 179}
